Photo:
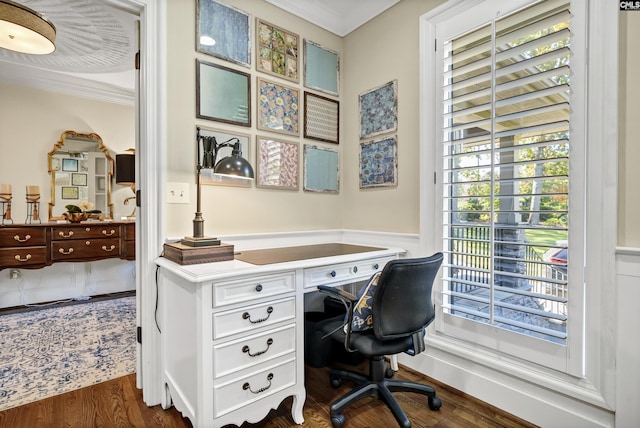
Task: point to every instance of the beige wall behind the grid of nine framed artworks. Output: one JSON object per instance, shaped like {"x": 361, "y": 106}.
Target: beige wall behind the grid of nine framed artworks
{"x": 229, "y": 210}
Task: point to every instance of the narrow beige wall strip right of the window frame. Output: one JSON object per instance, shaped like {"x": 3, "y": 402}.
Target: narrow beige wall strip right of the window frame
{"x": 629, "y": 128}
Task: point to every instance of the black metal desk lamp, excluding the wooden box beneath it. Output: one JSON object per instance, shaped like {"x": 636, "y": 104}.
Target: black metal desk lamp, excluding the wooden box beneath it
{"x": 234, "y": 165}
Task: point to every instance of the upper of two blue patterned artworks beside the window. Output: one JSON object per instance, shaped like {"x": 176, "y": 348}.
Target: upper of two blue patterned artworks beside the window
{"x": 379, "y": 110}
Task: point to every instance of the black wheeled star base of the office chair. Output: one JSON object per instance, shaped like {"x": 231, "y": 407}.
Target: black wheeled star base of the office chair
{"x": 377, "y": 385}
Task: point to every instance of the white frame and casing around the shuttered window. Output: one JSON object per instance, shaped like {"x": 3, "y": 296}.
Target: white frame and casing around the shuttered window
{"x": 590, "y": 354}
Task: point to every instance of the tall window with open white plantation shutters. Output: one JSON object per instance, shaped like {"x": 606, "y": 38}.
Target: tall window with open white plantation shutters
{"x": 509, "y": 127}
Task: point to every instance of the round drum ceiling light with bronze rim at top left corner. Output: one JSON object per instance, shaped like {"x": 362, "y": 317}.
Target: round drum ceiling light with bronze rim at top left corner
{"x": 24, "y": 30}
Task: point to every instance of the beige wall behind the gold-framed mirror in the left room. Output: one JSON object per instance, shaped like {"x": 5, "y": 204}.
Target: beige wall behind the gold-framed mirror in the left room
{"x": 31, "y": 121}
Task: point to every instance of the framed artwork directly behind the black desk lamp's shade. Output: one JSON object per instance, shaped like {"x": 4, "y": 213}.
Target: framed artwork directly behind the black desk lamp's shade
{"x": 206, "y": 174}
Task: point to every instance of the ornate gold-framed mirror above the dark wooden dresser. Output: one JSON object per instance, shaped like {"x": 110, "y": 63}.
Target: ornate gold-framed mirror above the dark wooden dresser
{"x": 81, "y": 169}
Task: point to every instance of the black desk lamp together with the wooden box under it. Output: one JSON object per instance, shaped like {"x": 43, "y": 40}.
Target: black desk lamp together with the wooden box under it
{"x": 199, "y": 248}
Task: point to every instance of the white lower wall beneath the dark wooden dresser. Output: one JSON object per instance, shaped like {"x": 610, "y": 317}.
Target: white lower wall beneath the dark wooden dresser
{"x": 63, "y": 281}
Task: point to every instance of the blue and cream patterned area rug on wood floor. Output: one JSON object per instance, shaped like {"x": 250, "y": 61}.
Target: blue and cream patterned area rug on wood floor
{"x": 51, "y": 351}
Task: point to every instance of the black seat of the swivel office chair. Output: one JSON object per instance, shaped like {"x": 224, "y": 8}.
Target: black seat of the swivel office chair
{"x": 366, "y": 342}
